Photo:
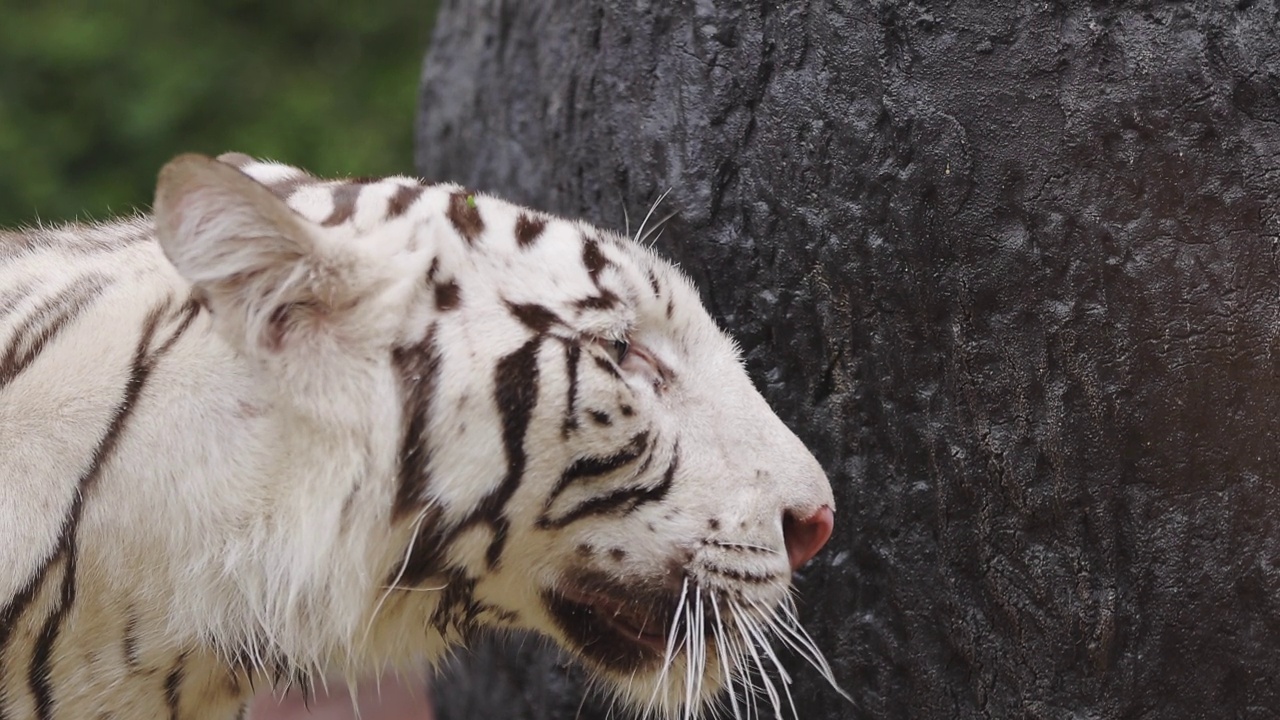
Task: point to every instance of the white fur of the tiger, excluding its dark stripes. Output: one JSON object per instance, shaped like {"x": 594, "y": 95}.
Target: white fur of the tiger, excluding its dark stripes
{"x": 248, "y": 505}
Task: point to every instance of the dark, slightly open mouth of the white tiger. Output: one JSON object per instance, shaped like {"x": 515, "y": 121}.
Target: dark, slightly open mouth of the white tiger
{"x": 620, "y": 631}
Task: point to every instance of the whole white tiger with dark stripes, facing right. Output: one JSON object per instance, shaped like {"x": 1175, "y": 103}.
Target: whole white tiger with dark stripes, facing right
{"x": 290, "y": 427}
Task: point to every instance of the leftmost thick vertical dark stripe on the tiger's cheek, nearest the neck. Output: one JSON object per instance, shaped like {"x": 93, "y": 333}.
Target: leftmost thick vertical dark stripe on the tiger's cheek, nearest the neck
{"x": 419, "y": 371}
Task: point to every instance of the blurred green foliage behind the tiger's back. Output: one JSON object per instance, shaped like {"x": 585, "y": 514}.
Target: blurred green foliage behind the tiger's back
{"x": 97, "y": 95}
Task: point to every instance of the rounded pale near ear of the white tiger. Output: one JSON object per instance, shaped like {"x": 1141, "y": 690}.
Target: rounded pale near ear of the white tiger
{"x": 267, "y": 274}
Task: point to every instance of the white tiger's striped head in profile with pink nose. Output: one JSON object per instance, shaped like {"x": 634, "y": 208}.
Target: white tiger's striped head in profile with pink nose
{"x": 536, "y": 426}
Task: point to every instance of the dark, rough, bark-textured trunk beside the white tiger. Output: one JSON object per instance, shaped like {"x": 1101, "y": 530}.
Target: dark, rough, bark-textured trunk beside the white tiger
{"x": 1011, "y": 270}
